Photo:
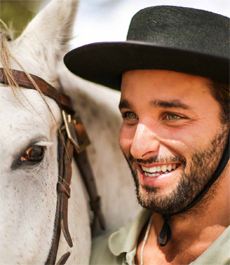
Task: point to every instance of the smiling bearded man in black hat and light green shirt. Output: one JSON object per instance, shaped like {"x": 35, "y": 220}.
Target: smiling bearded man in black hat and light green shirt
{"x": 173, "y": 73}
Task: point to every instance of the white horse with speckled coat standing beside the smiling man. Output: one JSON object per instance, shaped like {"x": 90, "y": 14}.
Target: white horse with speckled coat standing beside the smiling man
{"x": 28, "y": 189}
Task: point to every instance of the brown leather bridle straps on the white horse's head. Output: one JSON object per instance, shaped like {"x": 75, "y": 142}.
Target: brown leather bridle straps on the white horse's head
{"x": 74, "y": 145}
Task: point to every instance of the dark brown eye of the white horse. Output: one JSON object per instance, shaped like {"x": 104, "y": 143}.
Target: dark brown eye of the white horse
{"x": 34, "y": 154}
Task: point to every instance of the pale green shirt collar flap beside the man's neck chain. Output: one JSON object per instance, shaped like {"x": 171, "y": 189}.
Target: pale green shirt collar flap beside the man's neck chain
{"x": 125, "y": 239}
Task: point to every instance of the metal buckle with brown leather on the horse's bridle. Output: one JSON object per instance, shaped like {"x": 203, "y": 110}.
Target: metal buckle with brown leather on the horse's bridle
{"x": 76, "y": 132}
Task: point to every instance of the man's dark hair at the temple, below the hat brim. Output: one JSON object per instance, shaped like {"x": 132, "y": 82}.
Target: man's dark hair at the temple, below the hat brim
{"x": 222, "y": 94}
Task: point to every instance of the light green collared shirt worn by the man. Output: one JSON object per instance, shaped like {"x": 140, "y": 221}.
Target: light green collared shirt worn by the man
{"x": 120, "y": 247}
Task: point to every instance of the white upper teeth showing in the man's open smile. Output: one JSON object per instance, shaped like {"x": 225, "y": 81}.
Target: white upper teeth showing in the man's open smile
{"x": 159, "y": 170}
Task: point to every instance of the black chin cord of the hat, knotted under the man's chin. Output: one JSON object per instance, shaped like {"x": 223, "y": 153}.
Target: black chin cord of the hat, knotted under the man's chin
{"x": 166, "y": 233}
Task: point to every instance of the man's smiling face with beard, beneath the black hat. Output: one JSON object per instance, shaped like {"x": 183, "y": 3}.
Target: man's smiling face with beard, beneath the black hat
{"x": 171, "y": 136}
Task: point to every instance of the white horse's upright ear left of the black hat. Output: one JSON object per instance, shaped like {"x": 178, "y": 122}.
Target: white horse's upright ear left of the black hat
{"x": 48, "y": 34}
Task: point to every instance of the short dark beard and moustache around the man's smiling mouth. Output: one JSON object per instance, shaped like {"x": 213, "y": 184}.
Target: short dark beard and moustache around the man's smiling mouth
{"x": 199, "y": 172}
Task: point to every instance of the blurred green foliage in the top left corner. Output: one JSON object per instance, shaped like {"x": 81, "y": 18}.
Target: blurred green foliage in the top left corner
{"x": 17, "y": 14}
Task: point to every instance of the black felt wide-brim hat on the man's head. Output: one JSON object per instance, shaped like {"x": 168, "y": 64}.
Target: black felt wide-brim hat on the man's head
{"x": 171, "y": 38}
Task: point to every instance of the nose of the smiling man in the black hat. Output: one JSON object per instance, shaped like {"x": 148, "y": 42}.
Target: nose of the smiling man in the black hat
{"x": 145, "y": 142}
